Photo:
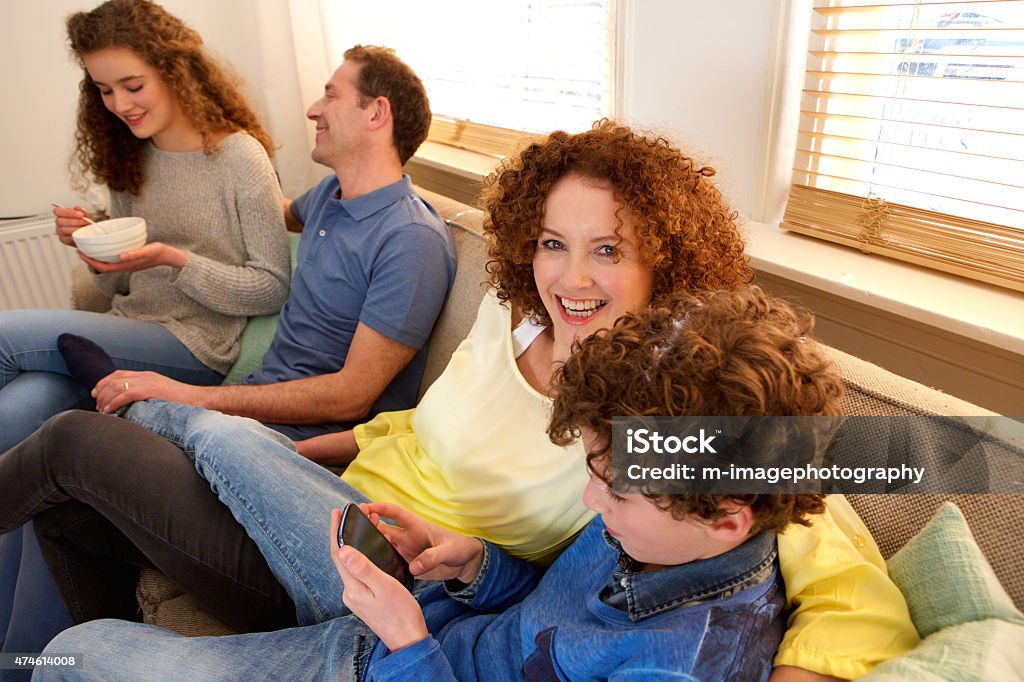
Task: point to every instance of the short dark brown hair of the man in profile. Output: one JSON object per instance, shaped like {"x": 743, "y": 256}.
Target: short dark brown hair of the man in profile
{"x": 385, "y": 75}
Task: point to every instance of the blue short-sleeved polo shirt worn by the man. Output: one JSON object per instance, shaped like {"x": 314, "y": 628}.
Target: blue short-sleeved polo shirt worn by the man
{"x": 385, "y": 260}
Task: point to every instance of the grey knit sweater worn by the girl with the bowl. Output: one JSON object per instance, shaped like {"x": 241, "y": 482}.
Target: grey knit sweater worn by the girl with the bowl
{"x": 226, "y": 212}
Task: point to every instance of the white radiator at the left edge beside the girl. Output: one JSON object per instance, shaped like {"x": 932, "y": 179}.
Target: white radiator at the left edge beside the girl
{"x": 35, "y": 268}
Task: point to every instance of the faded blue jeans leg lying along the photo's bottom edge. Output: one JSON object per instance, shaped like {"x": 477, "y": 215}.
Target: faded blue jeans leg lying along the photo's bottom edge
{"x": 119, "y": 651}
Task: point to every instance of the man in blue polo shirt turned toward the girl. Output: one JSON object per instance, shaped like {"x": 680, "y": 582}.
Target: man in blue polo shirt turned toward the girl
{"x": 375, "y": 264}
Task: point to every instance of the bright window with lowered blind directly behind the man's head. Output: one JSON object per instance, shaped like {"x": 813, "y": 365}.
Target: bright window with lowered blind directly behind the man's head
{"x": 496, "y": 70}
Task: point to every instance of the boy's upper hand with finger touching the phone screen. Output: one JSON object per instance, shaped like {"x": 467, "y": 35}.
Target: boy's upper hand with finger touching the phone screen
{"x": 434, "y": 553}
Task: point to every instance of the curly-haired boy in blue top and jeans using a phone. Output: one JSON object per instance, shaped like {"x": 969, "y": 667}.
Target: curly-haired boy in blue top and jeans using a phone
{"x": 657, "y": 587}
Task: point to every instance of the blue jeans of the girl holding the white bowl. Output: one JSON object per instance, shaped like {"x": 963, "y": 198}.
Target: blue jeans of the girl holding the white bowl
{"x": 34, "y": 381}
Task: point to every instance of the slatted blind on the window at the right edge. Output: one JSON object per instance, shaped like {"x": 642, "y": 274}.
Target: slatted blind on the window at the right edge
{"x": 912, "y": 135}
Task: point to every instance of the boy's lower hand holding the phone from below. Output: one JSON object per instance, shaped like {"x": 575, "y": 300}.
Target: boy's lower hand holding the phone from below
{"x": 379, "y": 601}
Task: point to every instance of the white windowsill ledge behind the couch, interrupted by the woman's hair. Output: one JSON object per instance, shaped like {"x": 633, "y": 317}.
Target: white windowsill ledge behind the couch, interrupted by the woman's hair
{"x": 984, "y": 313}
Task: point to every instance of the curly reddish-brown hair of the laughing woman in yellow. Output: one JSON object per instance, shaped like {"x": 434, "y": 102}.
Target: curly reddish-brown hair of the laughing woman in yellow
{"x": 685, "y": 230}
